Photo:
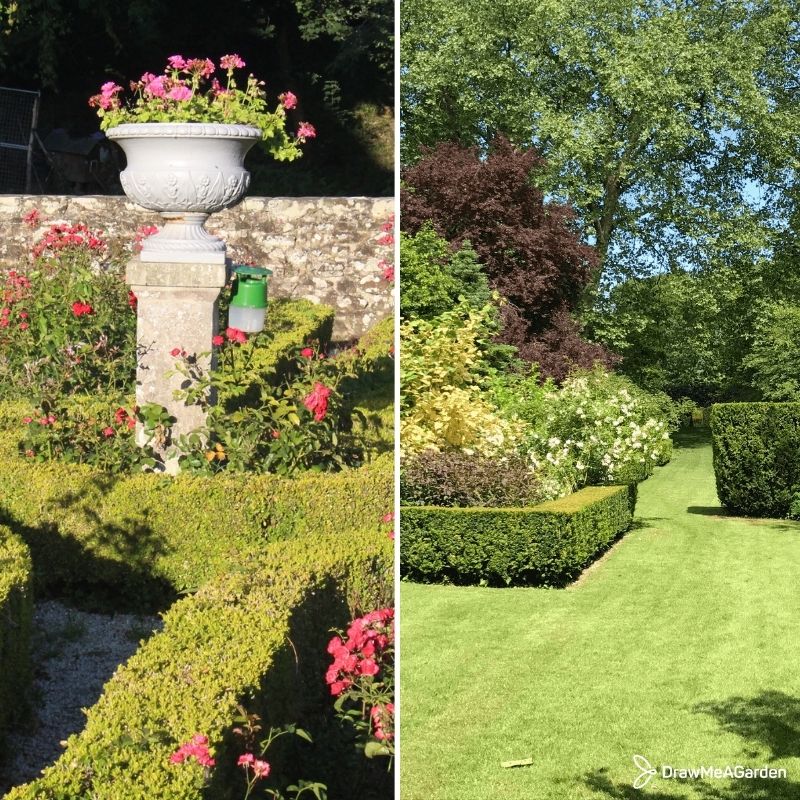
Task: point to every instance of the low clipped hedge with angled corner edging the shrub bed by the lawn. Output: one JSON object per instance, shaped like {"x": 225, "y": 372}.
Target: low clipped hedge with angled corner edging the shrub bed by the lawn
{"x": 545, "y": 544}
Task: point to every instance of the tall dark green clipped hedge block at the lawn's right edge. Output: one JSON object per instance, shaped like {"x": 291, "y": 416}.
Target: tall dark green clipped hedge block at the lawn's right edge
{"x": 756, "y": 456}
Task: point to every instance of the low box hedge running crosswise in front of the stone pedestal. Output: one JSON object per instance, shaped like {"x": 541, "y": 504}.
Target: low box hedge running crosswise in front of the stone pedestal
{"x": 148, "y": 536}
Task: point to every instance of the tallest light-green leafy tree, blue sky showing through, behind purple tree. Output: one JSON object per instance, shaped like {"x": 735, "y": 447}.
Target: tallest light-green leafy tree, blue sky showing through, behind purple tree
{"x": 672, "y": 125}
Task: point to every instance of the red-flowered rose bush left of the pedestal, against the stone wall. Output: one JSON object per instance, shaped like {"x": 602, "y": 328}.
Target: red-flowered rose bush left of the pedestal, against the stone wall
{"x": 67, "y": 320}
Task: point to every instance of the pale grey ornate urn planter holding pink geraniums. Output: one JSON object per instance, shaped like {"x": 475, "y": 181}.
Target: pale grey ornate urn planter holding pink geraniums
{"x": 185, "y": 171}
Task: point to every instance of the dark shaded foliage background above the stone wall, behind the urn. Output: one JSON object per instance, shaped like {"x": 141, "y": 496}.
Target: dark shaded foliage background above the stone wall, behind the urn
{"x": 337, "y": 57}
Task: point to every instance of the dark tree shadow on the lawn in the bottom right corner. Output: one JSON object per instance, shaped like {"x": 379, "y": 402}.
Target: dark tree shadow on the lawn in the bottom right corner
{"x": 768, "y": 721}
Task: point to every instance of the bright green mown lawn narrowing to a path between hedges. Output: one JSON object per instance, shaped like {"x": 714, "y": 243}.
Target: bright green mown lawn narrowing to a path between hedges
{"x": 682, "y": 645}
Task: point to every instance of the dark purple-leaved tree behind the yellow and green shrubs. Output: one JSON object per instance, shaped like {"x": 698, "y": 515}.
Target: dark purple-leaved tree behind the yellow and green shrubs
{"x": 530, "y": 249}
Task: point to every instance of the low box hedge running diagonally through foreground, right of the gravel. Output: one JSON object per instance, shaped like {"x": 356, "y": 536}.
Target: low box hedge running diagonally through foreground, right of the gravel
{"x": 256, "y": 637}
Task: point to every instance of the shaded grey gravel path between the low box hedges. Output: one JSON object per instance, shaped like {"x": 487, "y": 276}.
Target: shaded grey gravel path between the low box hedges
{"x": 74, "y": 654}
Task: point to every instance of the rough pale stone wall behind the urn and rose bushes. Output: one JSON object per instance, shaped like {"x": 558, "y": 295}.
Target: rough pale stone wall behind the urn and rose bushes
{"x": 322, "y": 248}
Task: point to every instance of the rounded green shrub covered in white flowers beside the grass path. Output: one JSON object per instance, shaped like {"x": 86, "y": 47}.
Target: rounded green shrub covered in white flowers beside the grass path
{"x": 609, "y": 430}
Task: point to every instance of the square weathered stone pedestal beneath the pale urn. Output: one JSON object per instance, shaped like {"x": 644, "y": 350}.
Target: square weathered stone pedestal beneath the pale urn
{"x": 177, "y": 308}
